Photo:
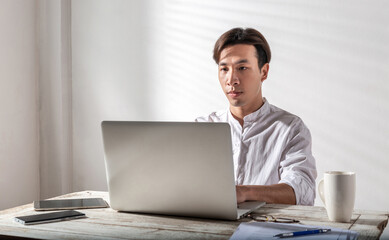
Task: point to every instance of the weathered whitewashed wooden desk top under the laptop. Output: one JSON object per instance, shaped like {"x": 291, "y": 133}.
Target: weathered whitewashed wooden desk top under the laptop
{"x": 108, "y": 224}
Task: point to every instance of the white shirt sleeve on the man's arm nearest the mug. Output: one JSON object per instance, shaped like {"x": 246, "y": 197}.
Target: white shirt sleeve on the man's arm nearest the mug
{"x": 297, "y": 165}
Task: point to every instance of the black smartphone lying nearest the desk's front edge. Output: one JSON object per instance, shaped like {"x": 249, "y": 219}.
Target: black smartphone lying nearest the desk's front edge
{"x": 49, "y": 217}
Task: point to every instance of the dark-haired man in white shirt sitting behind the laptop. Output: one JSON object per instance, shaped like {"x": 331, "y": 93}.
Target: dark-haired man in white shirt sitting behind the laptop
{"x": 271, "y": 147}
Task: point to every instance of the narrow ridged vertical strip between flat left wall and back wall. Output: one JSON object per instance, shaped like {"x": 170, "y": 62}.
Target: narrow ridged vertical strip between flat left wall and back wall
{"x": 55, "y": 97}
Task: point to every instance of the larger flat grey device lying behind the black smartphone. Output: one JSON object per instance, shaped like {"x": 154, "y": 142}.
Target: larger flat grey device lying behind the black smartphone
{"x": 66, "y": 204}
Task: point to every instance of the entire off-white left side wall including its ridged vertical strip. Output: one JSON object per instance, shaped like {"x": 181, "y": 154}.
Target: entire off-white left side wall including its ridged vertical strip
{"x": 35, "y": 100}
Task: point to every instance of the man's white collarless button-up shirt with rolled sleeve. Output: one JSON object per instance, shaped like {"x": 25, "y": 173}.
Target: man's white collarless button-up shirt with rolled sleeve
{"x": 273, "y": 146}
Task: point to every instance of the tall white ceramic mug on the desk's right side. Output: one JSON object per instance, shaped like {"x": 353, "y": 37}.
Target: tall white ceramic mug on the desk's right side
{"x": 337, "y": 191}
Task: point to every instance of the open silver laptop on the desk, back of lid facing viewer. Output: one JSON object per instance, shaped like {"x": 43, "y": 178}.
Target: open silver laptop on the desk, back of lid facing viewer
{"x": 173, "y": 168}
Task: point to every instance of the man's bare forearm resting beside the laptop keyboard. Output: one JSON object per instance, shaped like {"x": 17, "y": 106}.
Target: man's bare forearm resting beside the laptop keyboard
{"x": 278, "y": 193}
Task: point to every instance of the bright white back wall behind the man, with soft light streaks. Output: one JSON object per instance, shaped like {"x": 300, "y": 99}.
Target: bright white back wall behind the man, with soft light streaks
{"x": 152, "y": 60}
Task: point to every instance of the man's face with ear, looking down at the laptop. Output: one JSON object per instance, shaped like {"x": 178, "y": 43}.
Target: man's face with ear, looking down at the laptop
{"x": 240, "y": 77}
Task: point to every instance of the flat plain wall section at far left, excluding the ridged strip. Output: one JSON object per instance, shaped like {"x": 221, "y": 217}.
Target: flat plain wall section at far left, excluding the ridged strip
{"x": 19, "y": 165}
